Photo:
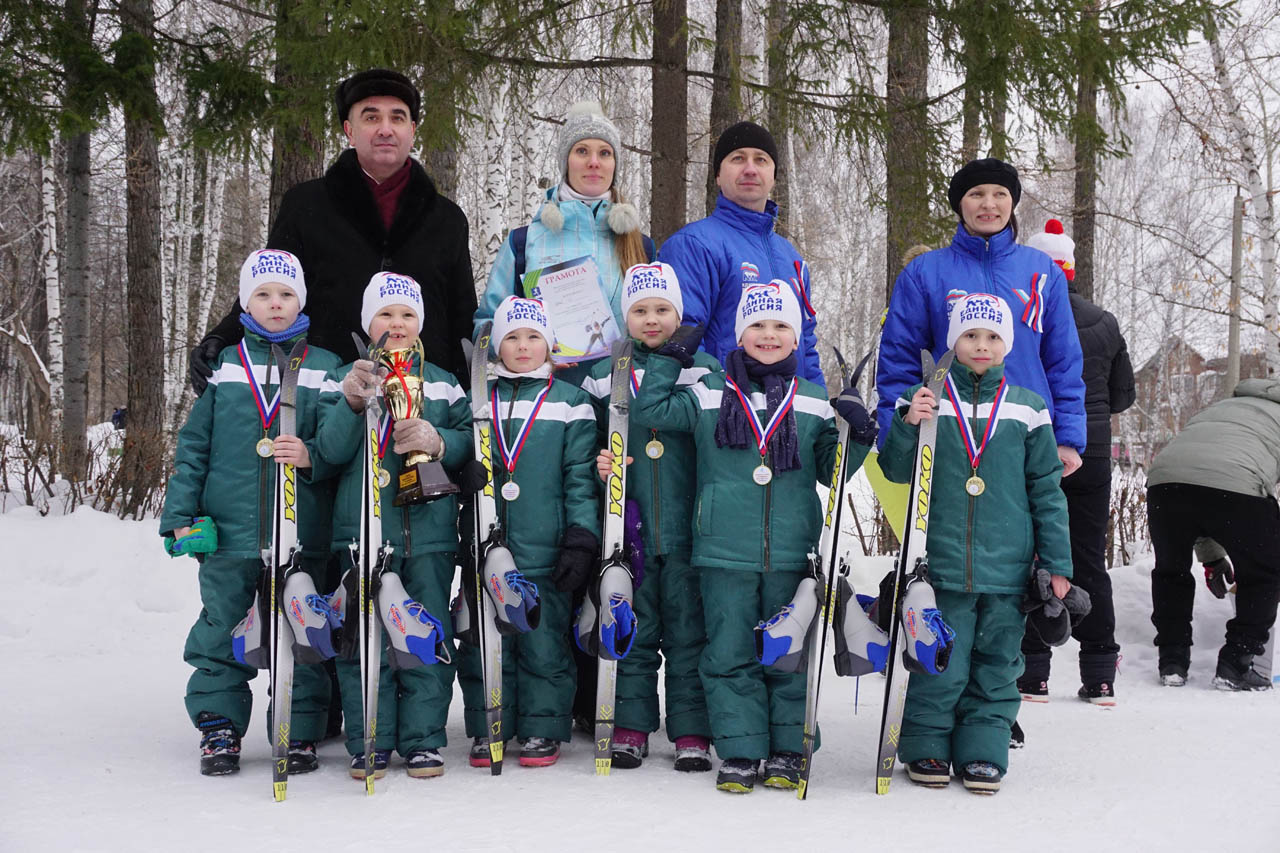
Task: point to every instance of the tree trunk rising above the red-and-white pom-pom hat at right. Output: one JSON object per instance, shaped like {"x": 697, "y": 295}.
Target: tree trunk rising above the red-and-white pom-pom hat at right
{"x": 1086, "y": 133}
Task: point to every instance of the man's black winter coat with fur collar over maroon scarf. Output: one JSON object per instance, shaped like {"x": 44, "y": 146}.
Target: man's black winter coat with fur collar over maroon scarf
{"x": 333, "y": 226}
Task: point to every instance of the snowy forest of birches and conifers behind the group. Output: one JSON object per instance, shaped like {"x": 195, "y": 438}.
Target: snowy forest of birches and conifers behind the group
{"x": 147, "y": 145}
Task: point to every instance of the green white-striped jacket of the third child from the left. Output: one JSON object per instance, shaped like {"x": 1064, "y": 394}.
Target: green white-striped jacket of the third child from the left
{"x": 556, "y": 469}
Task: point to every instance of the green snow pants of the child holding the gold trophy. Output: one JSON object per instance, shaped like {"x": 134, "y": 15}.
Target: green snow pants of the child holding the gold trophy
{"x": 413, "y": 705}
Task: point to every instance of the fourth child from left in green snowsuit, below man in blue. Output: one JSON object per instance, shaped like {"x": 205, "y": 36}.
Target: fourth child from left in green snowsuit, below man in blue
{"x": 669, "y": 603}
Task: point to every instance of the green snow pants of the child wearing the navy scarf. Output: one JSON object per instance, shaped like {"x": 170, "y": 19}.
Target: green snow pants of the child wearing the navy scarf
{"x": 755, "y": 711}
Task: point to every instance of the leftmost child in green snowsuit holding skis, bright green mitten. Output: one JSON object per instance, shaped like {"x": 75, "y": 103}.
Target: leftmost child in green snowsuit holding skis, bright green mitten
{"x": 222, "y": 475}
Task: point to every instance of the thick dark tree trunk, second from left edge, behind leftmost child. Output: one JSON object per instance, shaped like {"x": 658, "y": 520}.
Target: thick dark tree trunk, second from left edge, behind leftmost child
{"x": 144, "y": 445}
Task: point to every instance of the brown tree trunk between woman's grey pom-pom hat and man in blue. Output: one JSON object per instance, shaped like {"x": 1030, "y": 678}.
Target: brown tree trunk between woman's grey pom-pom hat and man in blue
{"x": 670, "y": 134}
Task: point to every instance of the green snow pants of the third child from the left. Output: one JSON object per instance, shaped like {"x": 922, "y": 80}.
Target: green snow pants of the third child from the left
{"x": 538, "y": 674}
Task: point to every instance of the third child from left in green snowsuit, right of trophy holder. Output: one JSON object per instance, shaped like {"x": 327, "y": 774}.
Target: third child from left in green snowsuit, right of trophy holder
{"x": 543, "y": 464}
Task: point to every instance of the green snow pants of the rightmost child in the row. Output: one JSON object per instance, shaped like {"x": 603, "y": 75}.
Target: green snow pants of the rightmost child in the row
{"x": 966, "y": 713}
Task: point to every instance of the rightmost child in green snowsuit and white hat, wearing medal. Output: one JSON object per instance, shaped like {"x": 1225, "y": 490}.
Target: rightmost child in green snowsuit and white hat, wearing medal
{"x": 996, "y": 504}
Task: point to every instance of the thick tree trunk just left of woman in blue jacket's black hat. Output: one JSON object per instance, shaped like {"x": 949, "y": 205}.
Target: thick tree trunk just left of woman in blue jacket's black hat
{"x": 907, "y": 148}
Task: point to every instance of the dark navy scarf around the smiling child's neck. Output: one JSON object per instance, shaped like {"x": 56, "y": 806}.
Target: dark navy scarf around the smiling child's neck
{"x": 734, "y": 430}
